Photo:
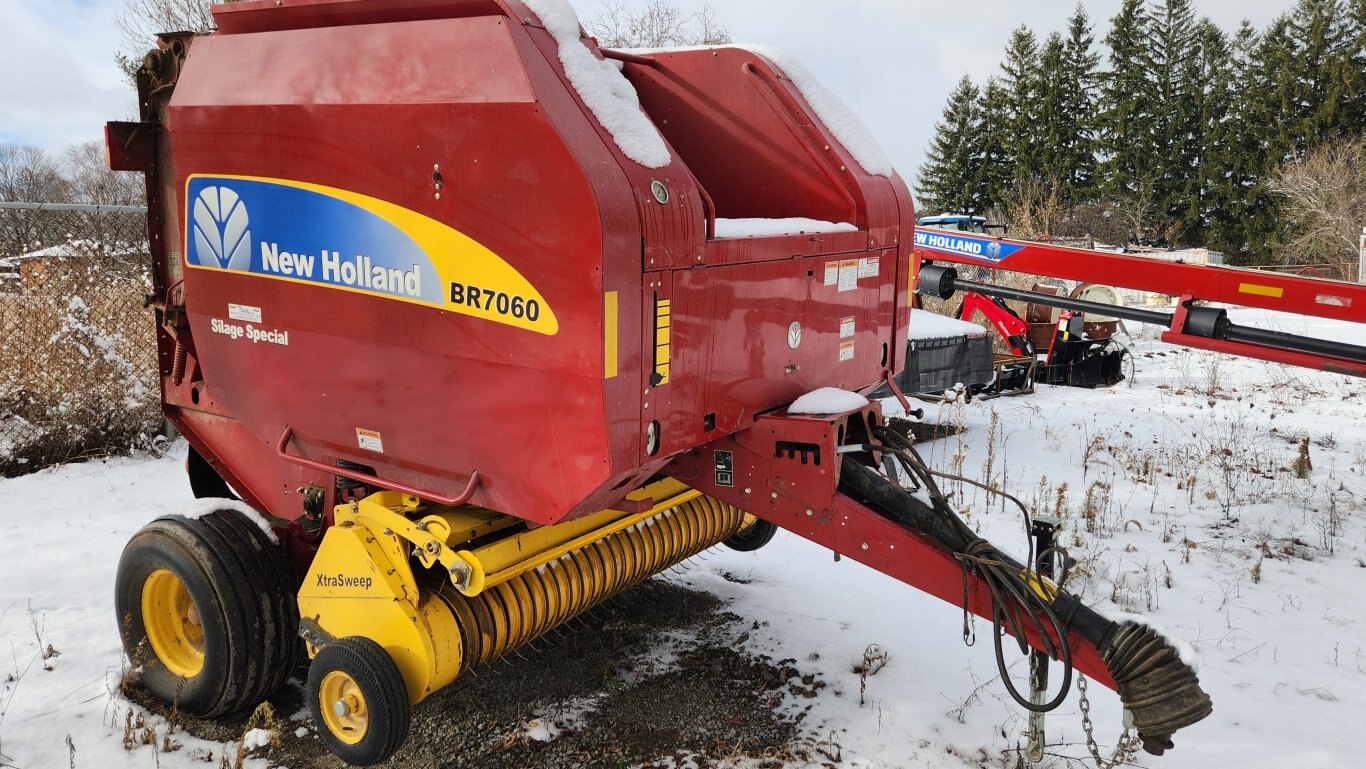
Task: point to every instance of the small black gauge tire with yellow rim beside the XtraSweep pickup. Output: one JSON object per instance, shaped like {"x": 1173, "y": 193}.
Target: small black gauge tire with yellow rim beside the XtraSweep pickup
{"x": 386, "y": 700}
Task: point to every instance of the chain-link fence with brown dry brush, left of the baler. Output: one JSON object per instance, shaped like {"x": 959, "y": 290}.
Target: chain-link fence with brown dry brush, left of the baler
{"x": 79, "y": 361}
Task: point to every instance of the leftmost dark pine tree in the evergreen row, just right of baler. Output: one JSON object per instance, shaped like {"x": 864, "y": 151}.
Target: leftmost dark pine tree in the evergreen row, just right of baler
{"x": 953, "y": 169}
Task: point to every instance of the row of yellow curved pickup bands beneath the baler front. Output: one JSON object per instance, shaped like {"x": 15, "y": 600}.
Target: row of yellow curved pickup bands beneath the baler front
{"x": 524, "y": 609}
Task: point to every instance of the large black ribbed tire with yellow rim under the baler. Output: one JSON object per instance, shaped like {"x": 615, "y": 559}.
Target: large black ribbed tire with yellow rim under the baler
{"x": 245, "y": 611}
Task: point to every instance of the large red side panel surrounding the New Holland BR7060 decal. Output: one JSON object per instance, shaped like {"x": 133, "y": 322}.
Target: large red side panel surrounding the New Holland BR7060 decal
{"x": 426, "y": 380}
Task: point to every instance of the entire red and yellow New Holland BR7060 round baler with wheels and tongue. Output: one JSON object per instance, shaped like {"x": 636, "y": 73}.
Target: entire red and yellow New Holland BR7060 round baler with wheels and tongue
{"x": 486, "y": 326}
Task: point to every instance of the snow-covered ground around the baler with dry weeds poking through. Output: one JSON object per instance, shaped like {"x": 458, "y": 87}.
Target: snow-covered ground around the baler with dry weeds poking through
{"x": 1262, "y": 572}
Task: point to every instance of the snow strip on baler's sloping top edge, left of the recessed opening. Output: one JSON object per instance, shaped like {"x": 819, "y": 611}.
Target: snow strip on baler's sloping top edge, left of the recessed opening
{"x": 603, "y": 87}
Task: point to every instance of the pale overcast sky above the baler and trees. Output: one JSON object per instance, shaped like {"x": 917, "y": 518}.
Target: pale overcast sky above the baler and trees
{"x": 894, "y": 61}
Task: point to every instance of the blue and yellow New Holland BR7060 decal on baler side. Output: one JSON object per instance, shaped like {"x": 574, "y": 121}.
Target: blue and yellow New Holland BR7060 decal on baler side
{"x": 341, "y": 240}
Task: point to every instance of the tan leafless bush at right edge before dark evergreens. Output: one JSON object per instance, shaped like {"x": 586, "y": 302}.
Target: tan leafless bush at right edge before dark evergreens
{"x": 1326, "y": 203}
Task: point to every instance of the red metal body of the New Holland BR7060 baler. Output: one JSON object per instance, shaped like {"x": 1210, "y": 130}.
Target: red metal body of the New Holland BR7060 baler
{"x": 458, "y": 120}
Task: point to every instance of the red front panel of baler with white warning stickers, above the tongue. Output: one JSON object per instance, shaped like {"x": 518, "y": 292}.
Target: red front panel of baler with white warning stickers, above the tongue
{"x": 737, "y": 352}
